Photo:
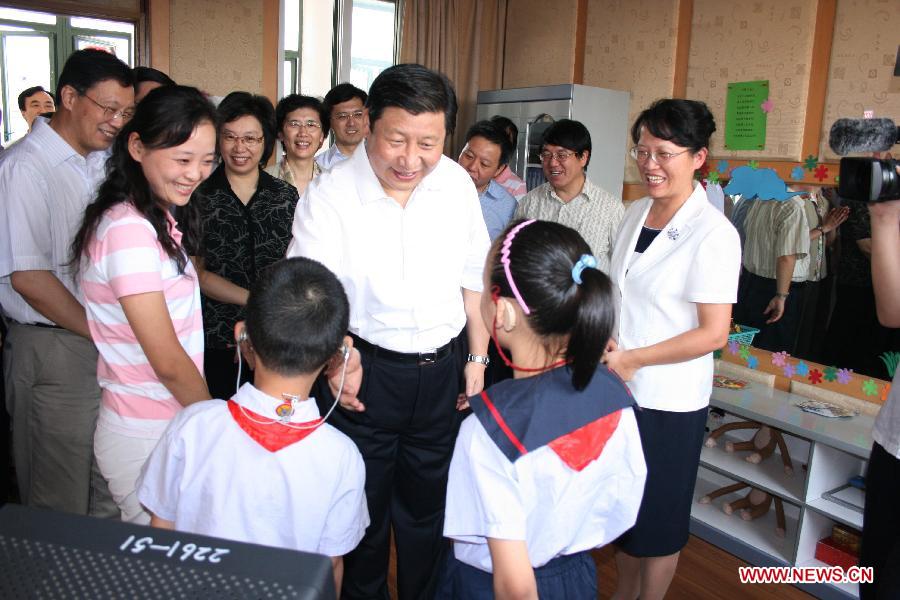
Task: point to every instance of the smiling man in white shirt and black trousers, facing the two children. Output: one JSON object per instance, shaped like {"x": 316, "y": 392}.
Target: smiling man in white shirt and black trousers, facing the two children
{"x": 401, "y": 226}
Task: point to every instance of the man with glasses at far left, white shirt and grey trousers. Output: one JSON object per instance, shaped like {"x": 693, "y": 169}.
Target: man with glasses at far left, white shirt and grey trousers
{"x": 50, "y": 362}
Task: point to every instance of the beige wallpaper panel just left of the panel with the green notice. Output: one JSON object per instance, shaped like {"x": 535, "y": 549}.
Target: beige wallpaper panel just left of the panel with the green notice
{"x": 630, "y": 46}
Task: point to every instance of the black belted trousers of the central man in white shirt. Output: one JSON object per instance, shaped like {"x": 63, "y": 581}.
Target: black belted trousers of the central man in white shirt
{"x": 406, "y": 437}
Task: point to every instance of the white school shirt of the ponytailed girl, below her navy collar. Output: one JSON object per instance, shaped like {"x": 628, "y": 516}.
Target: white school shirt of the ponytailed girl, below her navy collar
{"x": 556, "y": 510}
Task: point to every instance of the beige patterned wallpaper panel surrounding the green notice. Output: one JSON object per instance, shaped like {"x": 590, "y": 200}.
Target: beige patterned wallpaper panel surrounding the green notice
{"x": 748, "y": 41}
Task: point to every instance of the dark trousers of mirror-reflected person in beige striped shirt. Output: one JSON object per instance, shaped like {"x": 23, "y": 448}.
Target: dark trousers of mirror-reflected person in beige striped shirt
{"x": 754, "y": 294}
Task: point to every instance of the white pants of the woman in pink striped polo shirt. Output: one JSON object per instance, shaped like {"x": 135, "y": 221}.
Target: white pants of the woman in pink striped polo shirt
{"x": 120, "y": 458}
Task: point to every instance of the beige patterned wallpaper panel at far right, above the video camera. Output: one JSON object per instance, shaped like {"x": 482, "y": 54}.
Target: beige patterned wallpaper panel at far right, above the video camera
{"x": 863, "y": 52}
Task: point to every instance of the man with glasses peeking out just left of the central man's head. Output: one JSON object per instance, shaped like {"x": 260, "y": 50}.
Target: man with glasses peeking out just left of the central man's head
{"x": 346, "y": 104}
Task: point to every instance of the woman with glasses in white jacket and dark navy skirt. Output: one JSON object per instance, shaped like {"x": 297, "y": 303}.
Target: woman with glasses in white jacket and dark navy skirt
{"x": 675, "y": 265}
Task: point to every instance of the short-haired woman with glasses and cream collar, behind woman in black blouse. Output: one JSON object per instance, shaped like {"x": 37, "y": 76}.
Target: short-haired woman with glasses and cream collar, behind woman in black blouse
{"x": 302, "y": 125}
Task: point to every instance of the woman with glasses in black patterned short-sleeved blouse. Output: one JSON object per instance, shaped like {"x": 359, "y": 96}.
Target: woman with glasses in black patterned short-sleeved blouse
{"x": 246, "y": 217}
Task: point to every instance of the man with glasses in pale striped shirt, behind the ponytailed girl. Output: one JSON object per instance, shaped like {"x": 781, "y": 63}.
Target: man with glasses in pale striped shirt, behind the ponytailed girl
{"x": 569, "y": 197}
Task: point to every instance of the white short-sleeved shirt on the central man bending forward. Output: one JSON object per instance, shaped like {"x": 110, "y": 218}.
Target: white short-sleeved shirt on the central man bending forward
{"x": 402, "y": 268}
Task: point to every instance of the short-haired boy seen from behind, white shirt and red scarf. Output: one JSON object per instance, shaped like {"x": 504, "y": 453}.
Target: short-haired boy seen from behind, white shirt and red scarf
{"x": 264, "y": 467}
